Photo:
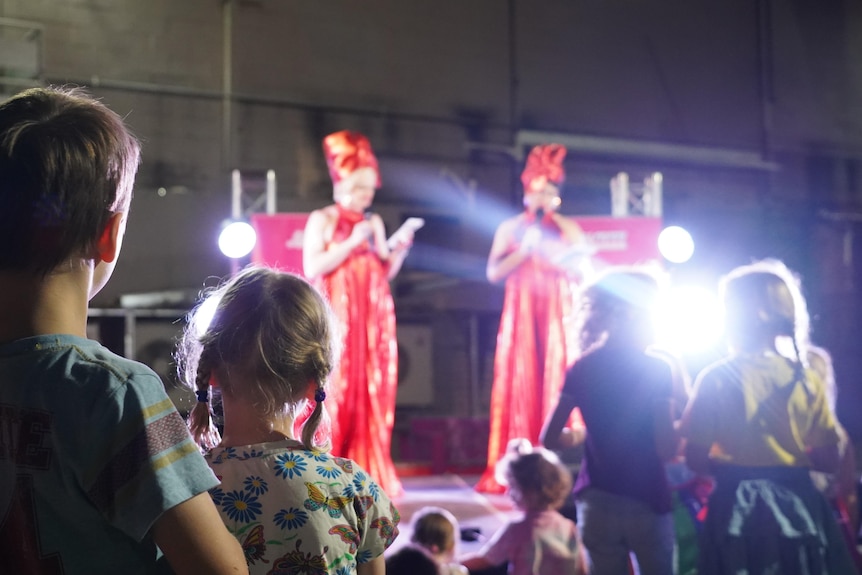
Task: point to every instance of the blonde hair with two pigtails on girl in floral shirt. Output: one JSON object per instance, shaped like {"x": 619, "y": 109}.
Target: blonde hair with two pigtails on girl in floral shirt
{"x": 271, "y": 341}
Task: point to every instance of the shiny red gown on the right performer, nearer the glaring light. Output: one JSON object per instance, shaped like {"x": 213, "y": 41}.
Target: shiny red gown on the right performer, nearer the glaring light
{"x": 532, "y": 350}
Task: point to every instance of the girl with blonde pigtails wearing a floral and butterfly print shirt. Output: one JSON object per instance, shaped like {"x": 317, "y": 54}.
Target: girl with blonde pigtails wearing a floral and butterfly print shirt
{"x": 269, "y": 351}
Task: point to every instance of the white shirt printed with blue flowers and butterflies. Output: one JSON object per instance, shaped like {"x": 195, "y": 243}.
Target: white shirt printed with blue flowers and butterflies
{"x": 296, "y": 510}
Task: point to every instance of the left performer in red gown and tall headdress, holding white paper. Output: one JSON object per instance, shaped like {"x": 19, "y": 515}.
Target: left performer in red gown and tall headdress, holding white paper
{"x": 347, "y": 255}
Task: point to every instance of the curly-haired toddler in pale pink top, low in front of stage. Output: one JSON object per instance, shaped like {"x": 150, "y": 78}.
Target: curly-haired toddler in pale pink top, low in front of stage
{"x": 542, "y": 542}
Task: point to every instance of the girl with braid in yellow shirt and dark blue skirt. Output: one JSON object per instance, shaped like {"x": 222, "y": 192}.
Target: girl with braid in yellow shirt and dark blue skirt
{"x": 759, "y": 421}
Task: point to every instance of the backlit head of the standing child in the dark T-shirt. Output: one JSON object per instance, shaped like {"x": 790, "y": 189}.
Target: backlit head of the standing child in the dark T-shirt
{"x": 618, "y": 305}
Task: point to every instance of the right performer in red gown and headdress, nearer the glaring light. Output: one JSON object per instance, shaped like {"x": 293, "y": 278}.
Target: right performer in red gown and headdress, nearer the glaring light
{"x": 536, "y": 253}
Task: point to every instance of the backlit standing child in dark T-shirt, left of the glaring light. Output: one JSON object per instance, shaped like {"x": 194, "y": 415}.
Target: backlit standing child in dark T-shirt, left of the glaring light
{"x": 624, "y": 391}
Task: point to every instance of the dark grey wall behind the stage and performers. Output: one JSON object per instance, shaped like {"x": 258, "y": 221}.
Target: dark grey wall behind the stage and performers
{"x": 751, "y": 110}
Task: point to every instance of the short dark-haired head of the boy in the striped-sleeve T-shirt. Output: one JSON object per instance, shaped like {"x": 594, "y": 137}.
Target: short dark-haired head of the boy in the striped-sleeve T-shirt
{"x": 67, "y": 165}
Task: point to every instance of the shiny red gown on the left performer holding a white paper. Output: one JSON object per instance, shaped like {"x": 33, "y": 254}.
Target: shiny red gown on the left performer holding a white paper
{"x": 361, "y": 402}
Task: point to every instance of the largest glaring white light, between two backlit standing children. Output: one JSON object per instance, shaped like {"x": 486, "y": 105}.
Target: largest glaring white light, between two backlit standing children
{"x": 688, "y": 319}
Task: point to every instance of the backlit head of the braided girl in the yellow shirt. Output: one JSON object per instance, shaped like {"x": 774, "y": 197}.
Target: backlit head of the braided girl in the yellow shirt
{"x": 763, "y": 302}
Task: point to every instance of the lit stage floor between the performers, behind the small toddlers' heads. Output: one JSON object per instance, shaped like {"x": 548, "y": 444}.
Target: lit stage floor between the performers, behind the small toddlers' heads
{"x": 485, "y": 512}
